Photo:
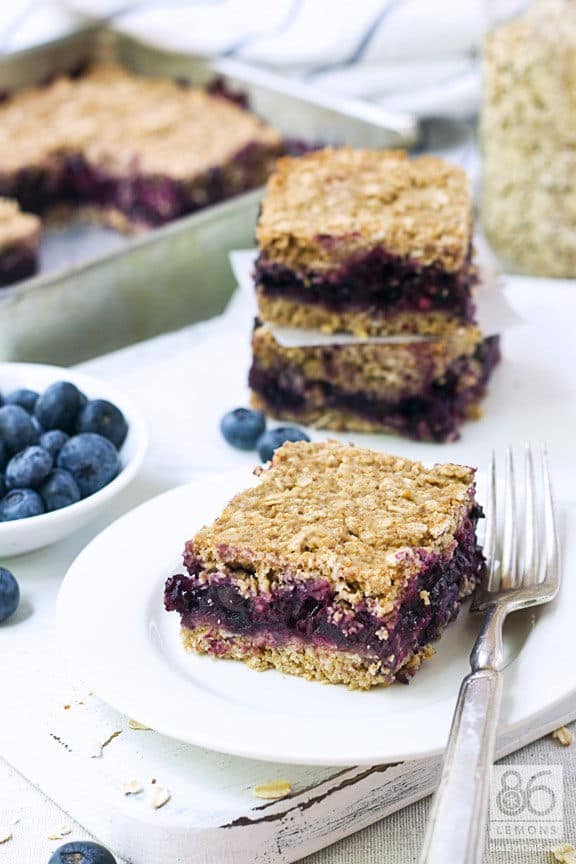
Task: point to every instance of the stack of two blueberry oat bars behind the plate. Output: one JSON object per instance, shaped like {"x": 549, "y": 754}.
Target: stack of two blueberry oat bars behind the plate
{"x": 374, "y": 245}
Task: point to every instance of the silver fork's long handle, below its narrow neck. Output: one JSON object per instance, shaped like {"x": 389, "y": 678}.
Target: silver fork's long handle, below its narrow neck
{"x": 458, "y": 816}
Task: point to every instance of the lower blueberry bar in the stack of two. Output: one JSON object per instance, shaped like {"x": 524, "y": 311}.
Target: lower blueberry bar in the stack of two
{"x": 422, "y": 390}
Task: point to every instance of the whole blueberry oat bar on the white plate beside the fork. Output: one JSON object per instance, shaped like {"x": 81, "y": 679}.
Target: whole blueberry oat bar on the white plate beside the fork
{"x": 341, "y": 565}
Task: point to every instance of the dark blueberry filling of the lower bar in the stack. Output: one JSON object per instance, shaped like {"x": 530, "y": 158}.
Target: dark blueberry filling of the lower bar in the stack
{"x": 434, "y": 414}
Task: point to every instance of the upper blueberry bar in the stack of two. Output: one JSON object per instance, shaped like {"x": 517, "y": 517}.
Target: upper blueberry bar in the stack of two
{"x": 366, "y": 242}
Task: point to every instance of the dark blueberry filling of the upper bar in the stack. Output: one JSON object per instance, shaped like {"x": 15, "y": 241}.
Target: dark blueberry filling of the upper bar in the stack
{"x": 378, "y": 282}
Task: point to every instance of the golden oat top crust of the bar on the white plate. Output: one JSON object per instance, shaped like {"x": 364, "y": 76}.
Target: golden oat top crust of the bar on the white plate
{"x": 347, "y": 514}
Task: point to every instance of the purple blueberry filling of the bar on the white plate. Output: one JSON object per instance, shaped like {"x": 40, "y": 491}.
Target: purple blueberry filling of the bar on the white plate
{"x": 310, "y": 610}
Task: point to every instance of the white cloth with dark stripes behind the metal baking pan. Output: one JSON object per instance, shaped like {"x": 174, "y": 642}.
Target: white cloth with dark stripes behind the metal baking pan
{"x": 410, "y": 55}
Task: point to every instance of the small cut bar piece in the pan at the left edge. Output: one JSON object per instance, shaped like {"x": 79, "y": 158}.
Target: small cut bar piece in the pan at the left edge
{"x": 19, "y": 239}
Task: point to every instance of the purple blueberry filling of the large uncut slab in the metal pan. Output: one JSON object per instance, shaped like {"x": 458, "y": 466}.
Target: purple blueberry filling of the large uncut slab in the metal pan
{"x": 143, "y": 198}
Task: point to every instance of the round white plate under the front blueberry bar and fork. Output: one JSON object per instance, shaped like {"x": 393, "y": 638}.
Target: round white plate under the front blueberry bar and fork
{"x": 121, "y": 643}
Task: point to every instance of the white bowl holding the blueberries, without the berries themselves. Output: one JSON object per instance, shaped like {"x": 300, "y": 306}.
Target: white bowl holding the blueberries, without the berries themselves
{"x": 24, "y": 535}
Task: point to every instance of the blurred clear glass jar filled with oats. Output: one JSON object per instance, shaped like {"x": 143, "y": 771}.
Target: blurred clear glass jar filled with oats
{"x": 528, "y": 139}
